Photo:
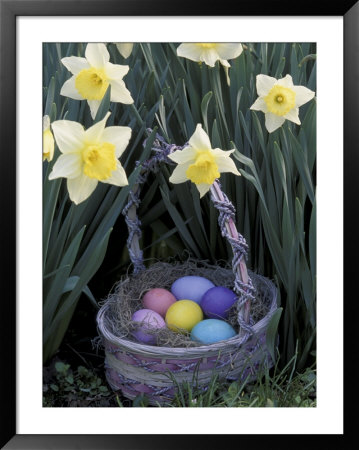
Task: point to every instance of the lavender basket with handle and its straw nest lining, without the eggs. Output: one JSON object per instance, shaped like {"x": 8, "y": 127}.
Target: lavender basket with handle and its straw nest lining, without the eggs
{"x": 135, "y": 368}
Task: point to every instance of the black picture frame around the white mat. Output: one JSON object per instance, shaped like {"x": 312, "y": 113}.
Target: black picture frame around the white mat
{"x": 9, "y": 11}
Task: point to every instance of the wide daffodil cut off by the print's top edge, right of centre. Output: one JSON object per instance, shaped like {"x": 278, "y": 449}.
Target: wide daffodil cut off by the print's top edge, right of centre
{"x": 209, "y": 53}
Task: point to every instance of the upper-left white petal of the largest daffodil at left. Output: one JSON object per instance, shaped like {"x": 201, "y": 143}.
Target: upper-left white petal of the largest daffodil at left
{"x": 69, "y": 135}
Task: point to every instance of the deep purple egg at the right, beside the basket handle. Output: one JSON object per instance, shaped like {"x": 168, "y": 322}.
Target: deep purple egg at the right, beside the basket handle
{"x": 217, "y": 302}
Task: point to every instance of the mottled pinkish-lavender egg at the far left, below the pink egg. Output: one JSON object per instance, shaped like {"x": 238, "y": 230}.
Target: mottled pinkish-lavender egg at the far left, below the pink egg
{"x": 148, "y": 322}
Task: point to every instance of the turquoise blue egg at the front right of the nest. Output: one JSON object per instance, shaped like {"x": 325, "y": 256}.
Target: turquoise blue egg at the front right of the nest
{"x": 210, "y": 331}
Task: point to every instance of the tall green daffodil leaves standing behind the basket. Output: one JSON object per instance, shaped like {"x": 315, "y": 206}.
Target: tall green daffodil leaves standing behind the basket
{"x": 275, "y": 198}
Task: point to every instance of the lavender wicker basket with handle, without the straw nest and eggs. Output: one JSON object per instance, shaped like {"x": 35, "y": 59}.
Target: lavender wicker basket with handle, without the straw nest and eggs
{"x": 134, "y": 368}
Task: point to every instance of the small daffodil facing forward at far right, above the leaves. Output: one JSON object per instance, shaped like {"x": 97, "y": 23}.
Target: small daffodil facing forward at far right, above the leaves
{"x": 280, "y": 100}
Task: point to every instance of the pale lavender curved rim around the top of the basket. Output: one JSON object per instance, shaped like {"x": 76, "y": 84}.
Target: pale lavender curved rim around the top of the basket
{"x": 156, "y": 351}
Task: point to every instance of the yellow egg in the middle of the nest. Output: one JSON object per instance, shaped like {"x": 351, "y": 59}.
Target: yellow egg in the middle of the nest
{"x": 183, "y": 315}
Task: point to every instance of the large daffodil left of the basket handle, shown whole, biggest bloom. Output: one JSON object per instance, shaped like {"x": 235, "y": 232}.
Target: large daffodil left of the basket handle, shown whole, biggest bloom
{"x": 89, "y": 156}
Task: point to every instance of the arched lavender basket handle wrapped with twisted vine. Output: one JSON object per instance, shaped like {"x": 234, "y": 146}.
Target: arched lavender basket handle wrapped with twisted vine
{"x": 243, "y": 285}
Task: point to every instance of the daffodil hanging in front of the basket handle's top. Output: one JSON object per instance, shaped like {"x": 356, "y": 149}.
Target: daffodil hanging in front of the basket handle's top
{"x": 200, "y": 163}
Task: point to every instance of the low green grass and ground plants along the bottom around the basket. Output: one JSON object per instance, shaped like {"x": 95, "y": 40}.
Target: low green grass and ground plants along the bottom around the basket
{"x": 275, "y": 388}
